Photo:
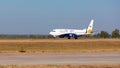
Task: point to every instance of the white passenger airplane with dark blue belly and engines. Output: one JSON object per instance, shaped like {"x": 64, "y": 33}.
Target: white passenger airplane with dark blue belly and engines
{"x": 61, "y": 33}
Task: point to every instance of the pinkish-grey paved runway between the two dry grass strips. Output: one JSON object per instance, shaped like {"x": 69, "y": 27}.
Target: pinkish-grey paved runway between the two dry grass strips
{"x": 60, "y": 58}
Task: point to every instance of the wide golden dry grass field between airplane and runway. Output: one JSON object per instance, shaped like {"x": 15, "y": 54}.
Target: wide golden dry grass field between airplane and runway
{"x": 59, "y": 45}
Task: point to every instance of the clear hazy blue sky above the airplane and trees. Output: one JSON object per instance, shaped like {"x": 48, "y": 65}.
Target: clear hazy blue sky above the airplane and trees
{"x": 41, "y": 16}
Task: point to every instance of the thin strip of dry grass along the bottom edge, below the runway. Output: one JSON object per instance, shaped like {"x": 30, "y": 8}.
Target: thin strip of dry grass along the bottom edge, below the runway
{"x": 61, "y": 66}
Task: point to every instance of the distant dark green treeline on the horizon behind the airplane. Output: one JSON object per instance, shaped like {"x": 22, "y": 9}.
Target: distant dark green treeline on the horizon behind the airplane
{"x": 101, "y": 34}
